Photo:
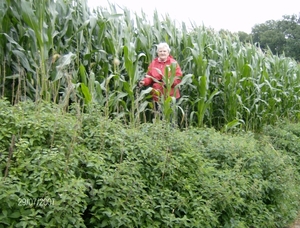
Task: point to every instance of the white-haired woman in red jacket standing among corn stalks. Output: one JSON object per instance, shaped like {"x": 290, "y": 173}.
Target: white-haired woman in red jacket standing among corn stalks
{"x": 156, "y": 71}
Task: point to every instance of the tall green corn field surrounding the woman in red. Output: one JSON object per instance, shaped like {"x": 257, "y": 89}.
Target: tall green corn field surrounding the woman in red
{"x": 62, "y": 51}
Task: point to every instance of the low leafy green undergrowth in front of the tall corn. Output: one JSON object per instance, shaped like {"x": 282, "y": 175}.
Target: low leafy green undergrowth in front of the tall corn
{"x": 83, "y": 170}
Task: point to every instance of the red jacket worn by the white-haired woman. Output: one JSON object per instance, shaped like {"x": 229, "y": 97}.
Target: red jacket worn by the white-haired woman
{"x": 158, "y": 75}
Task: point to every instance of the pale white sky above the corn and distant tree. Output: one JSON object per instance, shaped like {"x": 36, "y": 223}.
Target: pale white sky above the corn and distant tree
{"x": 232, "y": 15}
